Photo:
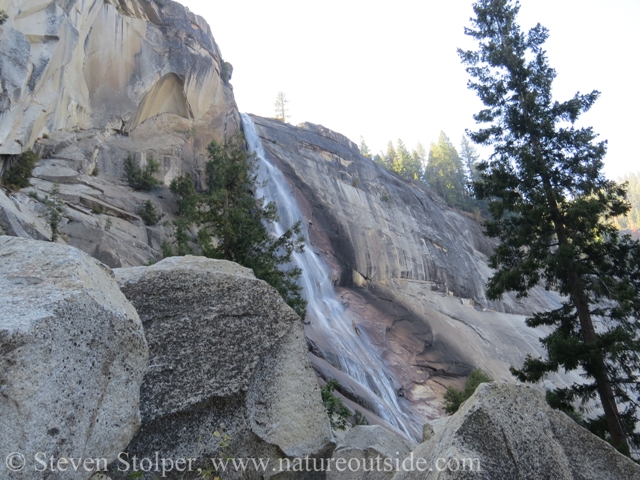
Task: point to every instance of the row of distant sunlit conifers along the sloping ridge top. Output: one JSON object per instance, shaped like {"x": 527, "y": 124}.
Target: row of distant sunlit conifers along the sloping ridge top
{"x": 444, "y": 170}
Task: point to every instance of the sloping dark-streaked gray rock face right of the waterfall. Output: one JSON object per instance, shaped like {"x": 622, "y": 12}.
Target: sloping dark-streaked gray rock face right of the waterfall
{"x": 410, "y": 271}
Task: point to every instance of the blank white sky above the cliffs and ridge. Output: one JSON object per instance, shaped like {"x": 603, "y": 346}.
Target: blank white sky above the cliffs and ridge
{"x": 389, "y": 70}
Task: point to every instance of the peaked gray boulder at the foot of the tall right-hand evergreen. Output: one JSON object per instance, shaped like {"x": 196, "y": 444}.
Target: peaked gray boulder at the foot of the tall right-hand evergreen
{"x": 507, "y": 431}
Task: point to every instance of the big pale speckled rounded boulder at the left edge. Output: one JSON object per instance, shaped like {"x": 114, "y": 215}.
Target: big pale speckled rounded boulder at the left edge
{"x": 72, "y": 357}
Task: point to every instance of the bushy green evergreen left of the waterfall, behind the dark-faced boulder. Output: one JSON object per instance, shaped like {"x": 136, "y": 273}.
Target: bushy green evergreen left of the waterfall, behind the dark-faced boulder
{"x": 231, "y": 221}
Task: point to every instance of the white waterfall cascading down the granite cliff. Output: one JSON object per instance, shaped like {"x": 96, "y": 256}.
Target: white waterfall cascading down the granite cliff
{"x": 356, "y": 355}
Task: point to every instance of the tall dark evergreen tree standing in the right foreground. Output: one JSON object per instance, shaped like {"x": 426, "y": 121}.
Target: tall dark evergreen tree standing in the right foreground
{"x": 551, "y": 210}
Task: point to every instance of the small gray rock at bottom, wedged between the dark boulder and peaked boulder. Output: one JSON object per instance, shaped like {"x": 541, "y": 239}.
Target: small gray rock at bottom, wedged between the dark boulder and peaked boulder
{"x": 368, "y": 452}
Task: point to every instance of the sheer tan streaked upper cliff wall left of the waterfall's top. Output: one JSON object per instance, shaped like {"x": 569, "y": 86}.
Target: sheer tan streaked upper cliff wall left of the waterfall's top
{"x": 106, "y": 64}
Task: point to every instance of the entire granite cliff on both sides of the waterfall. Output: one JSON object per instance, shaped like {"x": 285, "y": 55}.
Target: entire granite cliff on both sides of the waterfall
{"x": 85, "y": 84}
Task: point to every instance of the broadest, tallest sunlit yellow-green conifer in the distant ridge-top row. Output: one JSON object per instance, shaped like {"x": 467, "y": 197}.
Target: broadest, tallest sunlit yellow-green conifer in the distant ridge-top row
{"x": 444, "y": 172}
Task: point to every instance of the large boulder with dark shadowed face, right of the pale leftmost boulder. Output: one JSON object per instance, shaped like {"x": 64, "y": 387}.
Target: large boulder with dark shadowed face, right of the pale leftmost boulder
{"x": 226, "y": 354}
